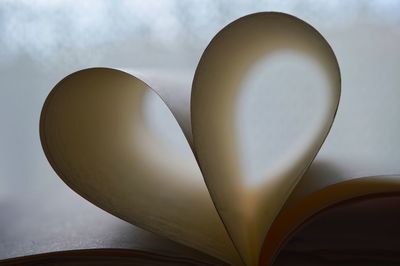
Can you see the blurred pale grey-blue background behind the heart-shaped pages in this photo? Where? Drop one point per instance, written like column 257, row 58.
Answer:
column 43, row 41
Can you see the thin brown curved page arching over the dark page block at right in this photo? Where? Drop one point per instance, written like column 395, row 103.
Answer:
column 294, row 216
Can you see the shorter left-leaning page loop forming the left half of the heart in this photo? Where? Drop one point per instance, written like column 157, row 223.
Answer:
column 112, row 139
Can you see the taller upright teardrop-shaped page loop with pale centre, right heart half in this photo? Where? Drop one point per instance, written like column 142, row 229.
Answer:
column 264, row 97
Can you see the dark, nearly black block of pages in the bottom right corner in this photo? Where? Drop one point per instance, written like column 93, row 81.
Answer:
column 358, row 232
